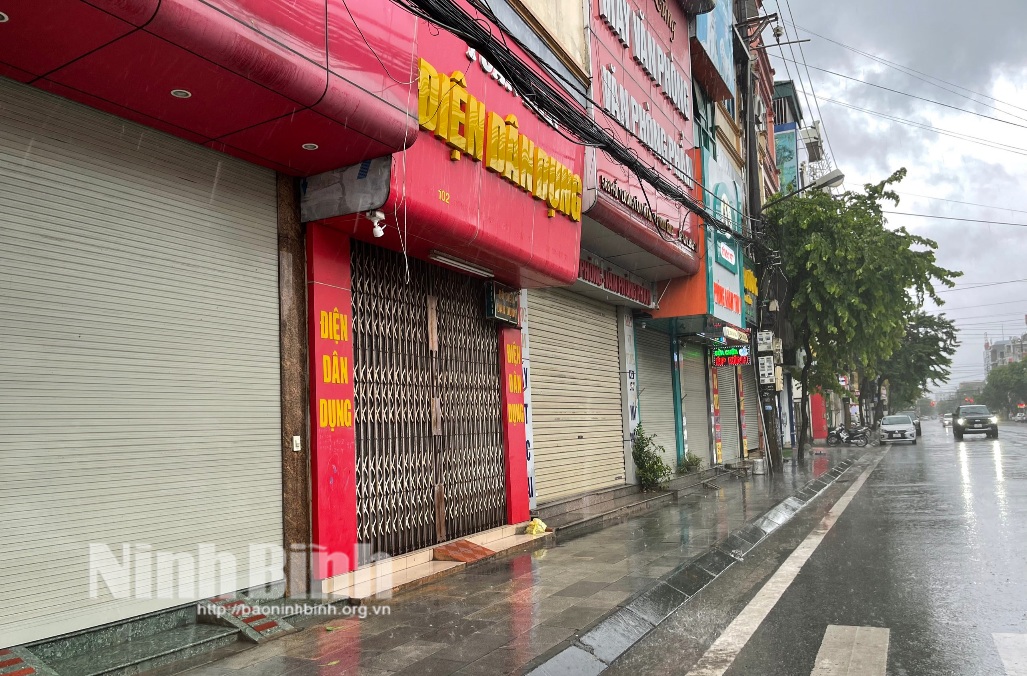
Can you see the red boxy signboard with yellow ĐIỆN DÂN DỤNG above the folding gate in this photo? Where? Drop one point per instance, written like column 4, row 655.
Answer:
column 491, row 180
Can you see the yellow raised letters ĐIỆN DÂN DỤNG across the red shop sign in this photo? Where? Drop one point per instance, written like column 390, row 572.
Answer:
column 460, row 120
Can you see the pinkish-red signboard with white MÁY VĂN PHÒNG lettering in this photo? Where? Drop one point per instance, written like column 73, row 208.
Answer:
column 643, row 76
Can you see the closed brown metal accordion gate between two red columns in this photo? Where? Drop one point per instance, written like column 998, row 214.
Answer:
column 430, row 453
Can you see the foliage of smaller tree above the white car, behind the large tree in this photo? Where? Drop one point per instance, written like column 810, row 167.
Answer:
column 924, row 356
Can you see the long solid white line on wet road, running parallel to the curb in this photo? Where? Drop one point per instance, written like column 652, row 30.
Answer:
column 721, row 655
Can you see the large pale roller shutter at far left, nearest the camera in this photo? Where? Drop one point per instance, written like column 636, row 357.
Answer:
column 140, row 370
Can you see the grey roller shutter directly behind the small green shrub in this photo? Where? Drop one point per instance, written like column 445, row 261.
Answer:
column 657, row 390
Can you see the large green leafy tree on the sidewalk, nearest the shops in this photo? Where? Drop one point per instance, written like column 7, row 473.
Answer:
column 853, row 282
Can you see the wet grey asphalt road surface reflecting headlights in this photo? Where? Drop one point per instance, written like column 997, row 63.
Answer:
column 933, row 548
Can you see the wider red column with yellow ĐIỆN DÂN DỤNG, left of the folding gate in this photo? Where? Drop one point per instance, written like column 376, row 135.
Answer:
column 333, row 444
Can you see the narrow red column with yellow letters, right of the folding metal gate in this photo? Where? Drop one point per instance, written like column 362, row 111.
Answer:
column 515, row 442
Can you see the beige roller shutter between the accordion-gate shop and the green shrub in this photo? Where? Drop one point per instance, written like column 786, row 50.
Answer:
column 576, row 394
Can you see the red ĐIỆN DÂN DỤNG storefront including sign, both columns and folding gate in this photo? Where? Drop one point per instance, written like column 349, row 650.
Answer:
column 489, row 192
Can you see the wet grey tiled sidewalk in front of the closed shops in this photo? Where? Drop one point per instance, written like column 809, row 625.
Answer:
column 497, row 617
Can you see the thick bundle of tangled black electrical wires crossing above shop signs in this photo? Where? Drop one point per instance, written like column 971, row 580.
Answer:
column 543, row 96
